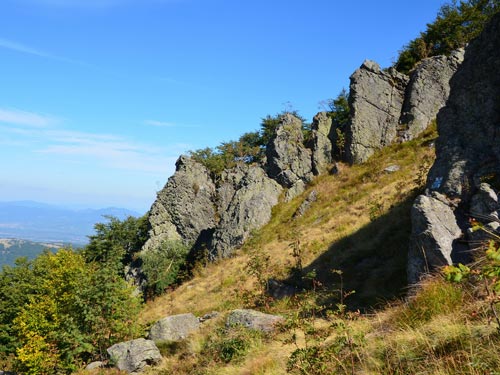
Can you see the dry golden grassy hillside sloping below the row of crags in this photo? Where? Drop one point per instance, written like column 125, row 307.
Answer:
column 360, row 225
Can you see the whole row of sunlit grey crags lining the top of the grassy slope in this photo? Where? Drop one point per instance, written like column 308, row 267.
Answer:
column 386, row 107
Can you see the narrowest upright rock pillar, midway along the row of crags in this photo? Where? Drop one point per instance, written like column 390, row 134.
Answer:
column 322, row 140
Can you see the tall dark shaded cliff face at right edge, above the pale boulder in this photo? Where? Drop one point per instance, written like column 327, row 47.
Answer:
column 468, row 147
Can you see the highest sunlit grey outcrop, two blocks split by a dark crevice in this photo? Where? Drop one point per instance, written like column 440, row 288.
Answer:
column 387, row 106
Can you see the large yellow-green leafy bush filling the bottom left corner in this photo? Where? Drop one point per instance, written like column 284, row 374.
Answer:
column 64, row 312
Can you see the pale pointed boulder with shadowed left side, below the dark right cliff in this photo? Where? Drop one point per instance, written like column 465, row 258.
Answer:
column 434, row 229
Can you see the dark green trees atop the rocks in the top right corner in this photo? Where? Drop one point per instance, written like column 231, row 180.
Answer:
column 456, row 24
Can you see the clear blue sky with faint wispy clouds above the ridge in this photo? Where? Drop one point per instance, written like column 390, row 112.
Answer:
column 99, row 97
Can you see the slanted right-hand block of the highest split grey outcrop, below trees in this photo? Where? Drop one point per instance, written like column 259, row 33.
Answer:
column 427, row 93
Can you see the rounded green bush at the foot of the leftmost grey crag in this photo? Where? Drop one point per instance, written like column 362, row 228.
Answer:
column 161, row 266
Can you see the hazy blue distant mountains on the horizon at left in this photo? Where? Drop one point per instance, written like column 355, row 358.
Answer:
column 40, row 222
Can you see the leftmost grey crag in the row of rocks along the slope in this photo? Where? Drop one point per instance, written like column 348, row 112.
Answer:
column 184, row 207
